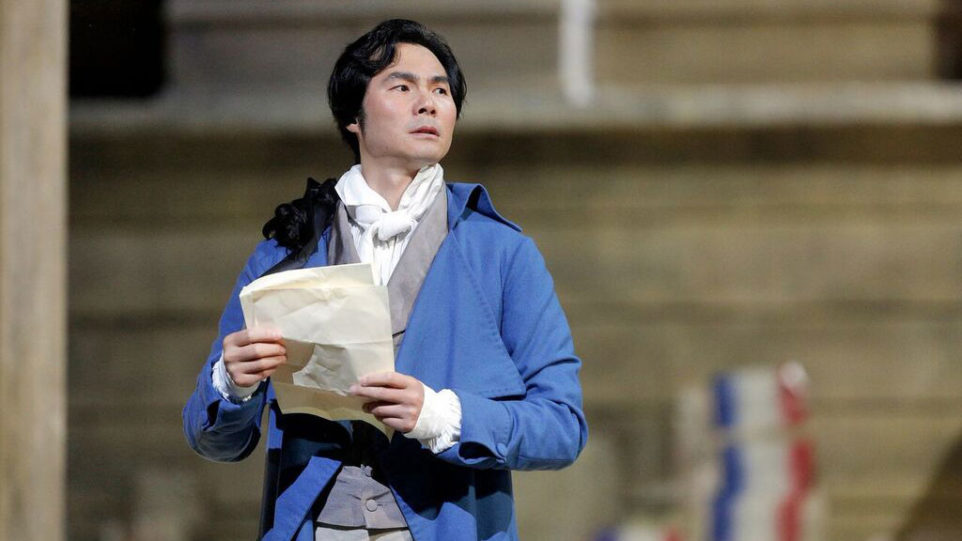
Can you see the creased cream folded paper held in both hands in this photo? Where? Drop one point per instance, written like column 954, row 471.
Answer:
column 336, row 325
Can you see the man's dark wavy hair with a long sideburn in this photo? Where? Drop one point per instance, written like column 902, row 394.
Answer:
column 369, row 55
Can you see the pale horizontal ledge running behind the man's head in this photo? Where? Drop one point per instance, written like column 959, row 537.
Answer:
column 780, row 111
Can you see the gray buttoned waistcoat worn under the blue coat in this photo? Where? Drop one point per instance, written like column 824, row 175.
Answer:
column 358, row 498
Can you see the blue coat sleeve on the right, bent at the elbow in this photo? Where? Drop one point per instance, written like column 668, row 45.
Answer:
column 546, row 428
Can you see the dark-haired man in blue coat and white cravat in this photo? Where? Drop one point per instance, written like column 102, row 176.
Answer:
column 486, row 378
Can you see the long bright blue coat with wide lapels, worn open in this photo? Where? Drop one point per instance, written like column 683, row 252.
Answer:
column 487, row 325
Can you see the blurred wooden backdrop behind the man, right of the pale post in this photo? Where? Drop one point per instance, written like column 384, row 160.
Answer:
column 719, row 187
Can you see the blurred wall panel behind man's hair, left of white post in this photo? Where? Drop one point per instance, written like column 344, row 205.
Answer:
column 295, row 43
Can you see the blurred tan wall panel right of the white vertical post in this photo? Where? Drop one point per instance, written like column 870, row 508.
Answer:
column 750, row 41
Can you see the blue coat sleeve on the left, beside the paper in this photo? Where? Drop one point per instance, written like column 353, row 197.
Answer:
column 216, row 428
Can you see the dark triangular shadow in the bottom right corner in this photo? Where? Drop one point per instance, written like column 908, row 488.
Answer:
column 936, row 516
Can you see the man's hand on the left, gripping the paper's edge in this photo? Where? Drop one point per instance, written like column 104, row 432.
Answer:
column 251, row 355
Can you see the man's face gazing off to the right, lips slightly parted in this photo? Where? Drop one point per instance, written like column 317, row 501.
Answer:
column 408, row 112
